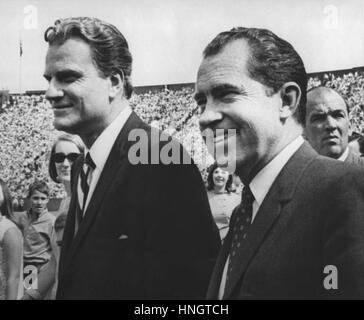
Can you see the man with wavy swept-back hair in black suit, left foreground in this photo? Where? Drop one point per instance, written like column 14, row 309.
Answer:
column 139, row 224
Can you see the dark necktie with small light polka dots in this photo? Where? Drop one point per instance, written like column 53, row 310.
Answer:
column 240, row 229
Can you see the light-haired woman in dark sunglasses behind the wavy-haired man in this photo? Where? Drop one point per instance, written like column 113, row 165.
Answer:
column 65, row 151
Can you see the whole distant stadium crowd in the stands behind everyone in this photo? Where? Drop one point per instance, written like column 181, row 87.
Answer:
column 27, row 131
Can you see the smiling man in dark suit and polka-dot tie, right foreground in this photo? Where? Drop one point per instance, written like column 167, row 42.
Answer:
column 298, row 232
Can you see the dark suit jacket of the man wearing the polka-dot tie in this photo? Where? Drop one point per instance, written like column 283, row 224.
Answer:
column 312, row 217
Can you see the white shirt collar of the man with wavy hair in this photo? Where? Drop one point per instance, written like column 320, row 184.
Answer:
column 101, row 148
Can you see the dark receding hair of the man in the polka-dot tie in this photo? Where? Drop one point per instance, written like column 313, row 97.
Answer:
column 272, row 61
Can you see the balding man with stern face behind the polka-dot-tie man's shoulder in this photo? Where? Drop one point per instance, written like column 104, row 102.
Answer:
column 327, row 125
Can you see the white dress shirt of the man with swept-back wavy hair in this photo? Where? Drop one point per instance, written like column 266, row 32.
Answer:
column 100, row 151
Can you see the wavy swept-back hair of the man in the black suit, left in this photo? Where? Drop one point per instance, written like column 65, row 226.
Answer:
column 109, row 47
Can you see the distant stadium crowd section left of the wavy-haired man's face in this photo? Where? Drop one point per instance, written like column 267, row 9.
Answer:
column 26, row 133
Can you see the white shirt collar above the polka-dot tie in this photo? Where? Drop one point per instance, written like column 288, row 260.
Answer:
column 262, row 182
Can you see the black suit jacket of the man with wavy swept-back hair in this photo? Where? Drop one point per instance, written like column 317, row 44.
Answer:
column 147, row 233
